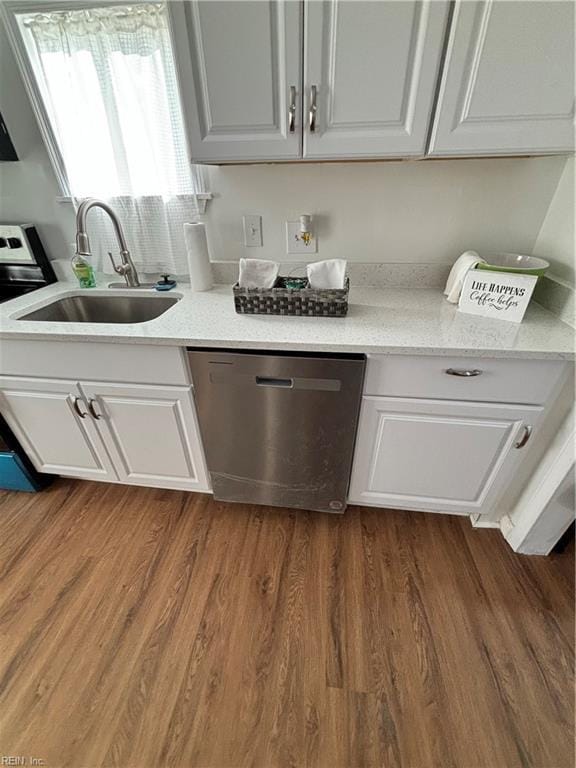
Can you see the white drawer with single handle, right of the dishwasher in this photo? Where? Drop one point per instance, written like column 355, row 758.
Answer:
column 503, row 381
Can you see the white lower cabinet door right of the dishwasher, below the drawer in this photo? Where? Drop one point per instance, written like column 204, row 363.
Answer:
column 440, row 456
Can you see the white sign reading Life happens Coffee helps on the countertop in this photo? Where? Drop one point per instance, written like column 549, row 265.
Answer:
column 496, row 294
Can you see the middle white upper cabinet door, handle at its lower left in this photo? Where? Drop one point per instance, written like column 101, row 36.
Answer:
column 373, row 67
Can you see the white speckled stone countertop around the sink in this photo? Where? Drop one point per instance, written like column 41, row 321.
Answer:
column 380, row 320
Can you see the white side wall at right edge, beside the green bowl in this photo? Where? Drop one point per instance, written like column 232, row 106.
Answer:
column 555, row 241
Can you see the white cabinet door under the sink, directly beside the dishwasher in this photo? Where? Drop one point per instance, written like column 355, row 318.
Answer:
column 151, row 433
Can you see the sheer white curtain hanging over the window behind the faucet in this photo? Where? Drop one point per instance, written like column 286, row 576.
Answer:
column 108, row 80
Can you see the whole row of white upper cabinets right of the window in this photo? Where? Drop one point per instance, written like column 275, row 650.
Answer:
column 265, row 80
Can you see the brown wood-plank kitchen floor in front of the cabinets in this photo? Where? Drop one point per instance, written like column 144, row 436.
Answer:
column 144, row 628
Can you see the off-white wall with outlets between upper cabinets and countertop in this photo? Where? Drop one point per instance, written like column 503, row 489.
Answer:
column 409, row 211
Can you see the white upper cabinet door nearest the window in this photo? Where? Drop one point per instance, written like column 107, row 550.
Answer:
column 240, row 74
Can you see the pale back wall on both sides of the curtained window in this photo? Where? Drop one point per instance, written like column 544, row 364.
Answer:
column 377, row 212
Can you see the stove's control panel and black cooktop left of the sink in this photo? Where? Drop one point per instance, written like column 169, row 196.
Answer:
column 24, row 265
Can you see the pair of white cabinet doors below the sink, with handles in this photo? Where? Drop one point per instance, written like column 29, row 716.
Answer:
column 137, row 434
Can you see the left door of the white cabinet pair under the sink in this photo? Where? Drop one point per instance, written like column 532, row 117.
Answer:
column 53, row 425
